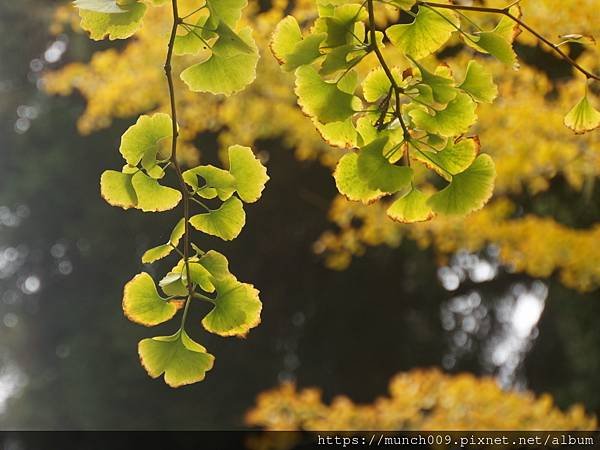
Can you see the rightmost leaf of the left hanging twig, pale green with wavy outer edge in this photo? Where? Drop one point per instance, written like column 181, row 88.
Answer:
column 249, row 173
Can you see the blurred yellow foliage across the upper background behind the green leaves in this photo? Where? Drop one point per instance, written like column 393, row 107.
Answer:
column 523, row 131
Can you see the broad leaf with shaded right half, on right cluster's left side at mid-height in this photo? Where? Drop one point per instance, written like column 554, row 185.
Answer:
column 322, row 100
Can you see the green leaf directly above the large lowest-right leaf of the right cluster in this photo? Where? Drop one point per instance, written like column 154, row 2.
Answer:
column 455, row 158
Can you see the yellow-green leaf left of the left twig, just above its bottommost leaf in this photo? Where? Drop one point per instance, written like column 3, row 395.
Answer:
column 142, row 304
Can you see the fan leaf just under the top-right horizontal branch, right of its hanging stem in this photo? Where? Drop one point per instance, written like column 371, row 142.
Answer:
column 430, row 30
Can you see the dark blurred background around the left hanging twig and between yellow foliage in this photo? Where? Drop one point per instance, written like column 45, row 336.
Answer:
column 68, row 356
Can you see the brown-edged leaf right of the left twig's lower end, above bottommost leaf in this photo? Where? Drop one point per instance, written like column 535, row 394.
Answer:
column 236, row 308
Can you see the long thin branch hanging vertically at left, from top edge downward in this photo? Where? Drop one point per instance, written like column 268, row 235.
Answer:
column 183, row 188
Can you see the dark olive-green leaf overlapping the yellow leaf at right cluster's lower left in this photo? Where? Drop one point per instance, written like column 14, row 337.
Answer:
column 378, row 172
